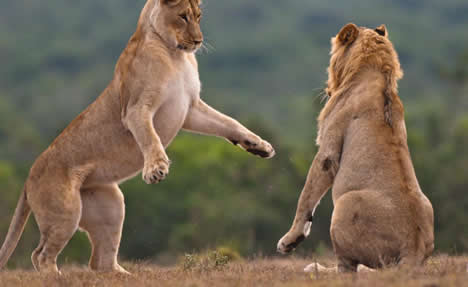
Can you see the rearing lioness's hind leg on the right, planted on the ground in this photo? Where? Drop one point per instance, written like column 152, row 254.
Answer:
column 103, row 216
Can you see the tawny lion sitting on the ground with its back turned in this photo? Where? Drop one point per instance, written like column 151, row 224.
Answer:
column 380, row 214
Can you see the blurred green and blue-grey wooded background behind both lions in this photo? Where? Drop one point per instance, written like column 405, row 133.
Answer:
column 265, row 65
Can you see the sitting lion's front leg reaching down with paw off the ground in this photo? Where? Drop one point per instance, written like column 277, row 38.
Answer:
column 319, row 180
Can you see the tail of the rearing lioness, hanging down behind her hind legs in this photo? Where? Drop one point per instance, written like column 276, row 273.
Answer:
column 20, row 218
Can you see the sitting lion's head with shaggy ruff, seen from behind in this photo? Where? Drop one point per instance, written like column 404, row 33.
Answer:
column 357, row 48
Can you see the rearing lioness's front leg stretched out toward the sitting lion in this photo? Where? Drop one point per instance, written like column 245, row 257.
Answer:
column 204, row 119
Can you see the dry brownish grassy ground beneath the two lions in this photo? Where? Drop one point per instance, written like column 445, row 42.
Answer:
column 213, row 271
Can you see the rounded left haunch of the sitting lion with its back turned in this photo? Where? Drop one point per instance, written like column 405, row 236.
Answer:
column 366, row 229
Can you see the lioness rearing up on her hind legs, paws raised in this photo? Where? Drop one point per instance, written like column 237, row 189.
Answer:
column 154, row 93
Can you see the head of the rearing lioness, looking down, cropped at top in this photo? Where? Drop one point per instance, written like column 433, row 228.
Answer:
column 176, row 22
